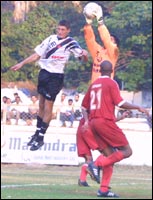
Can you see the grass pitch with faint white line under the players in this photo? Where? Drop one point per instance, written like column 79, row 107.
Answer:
column 34, row 181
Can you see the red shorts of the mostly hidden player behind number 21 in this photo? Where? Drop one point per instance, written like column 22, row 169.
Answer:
column 85, row 141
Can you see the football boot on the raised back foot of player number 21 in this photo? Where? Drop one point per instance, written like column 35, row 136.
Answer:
column 94, row 172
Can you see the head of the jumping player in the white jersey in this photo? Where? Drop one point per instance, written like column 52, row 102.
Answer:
column 63, row 29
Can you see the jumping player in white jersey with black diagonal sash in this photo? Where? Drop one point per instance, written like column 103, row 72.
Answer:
column 53, row 54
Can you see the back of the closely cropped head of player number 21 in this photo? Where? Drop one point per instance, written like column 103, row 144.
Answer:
column 106, row 67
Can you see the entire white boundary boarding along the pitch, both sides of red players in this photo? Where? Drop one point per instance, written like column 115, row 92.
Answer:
column 60, row 145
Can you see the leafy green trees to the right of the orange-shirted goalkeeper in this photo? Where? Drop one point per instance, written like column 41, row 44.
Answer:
column 132, row 21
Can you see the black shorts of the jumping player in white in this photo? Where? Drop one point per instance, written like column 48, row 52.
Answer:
column 49, row 84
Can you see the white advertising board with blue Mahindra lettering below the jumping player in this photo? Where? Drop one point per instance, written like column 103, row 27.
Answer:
column 58, row 149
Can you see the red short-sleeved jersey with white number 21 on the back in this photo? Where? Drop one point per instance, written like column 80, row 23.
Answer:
column 102, row 97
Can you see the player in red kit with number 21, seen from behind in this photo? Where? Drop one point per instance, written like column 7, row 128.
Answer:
column 100, row 100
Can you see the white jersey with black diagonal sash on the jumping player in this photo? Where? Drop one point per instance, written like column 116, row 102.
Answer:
column 55, row 53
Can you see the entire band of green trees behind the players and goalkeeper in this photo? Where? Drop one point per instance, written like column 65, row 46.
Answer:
column 131, row 21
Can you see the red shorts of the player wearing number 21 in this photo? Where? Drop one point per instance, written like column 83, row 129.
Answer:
column 107, row 133
